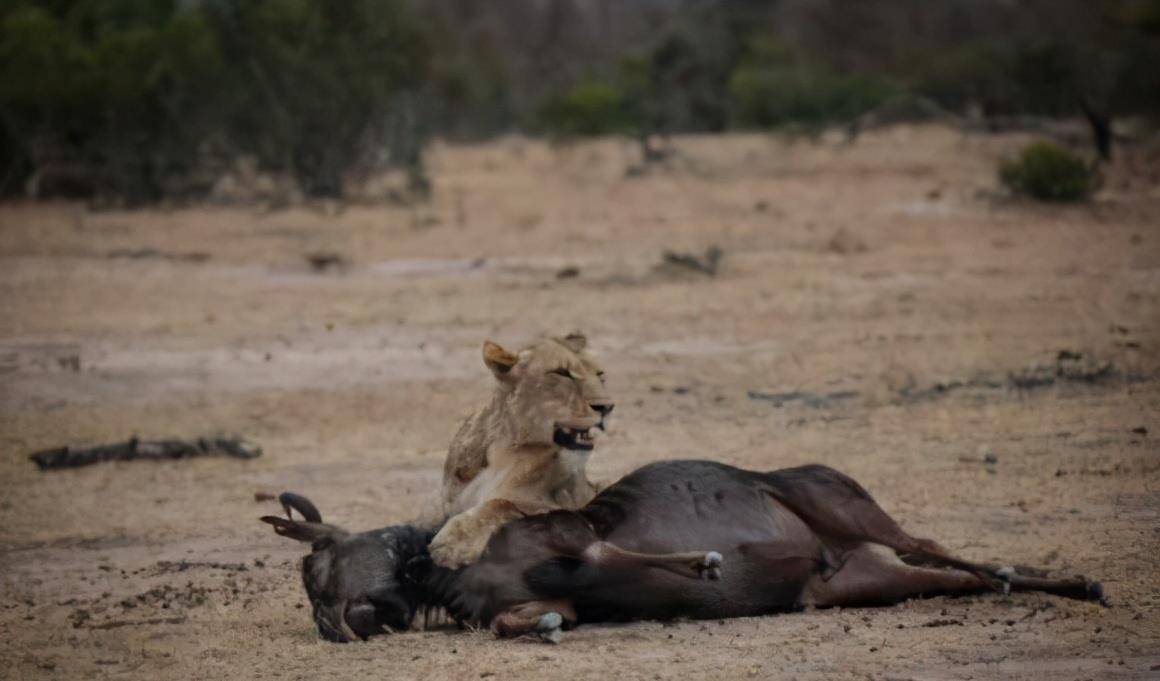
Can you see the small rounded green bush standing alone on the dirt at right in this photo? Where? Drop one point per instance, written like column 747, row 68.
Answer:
column 1048, row 172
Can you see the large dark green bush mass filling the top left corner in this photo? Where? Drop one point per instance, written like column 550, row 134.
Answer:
column 134, row 98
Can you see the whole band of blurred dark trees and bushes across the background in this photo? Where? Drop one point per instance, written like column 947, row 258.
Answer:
column 135, row 102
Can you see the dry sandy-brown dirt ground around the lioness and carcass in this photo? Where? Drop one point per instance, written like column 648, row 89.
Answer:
column 880, row 308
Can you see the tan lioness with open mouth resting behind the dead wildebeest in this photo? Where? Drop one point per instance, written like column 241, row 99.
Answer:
column 527, row 451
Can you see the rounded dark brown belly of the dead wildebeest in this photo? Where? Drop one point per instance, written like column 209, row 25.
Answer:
column 701, row 506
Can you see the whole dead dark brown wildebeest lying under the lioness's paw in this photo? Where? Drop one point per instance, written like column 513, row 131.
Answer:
column 683, row 539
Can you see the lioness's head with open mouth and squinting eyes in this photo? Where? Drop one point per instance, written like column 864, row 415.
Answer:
column 552, row 393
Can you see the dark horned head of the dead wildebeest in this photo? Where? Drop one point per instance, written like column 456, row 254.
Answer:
column 359, row 584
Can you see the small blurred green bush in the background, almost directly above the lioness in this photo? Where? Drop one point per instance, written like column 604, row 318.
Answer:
column 590, row 108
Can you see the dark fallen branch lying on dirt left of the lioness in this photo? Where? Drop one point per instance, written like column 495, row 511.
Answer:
column 71, row 458
